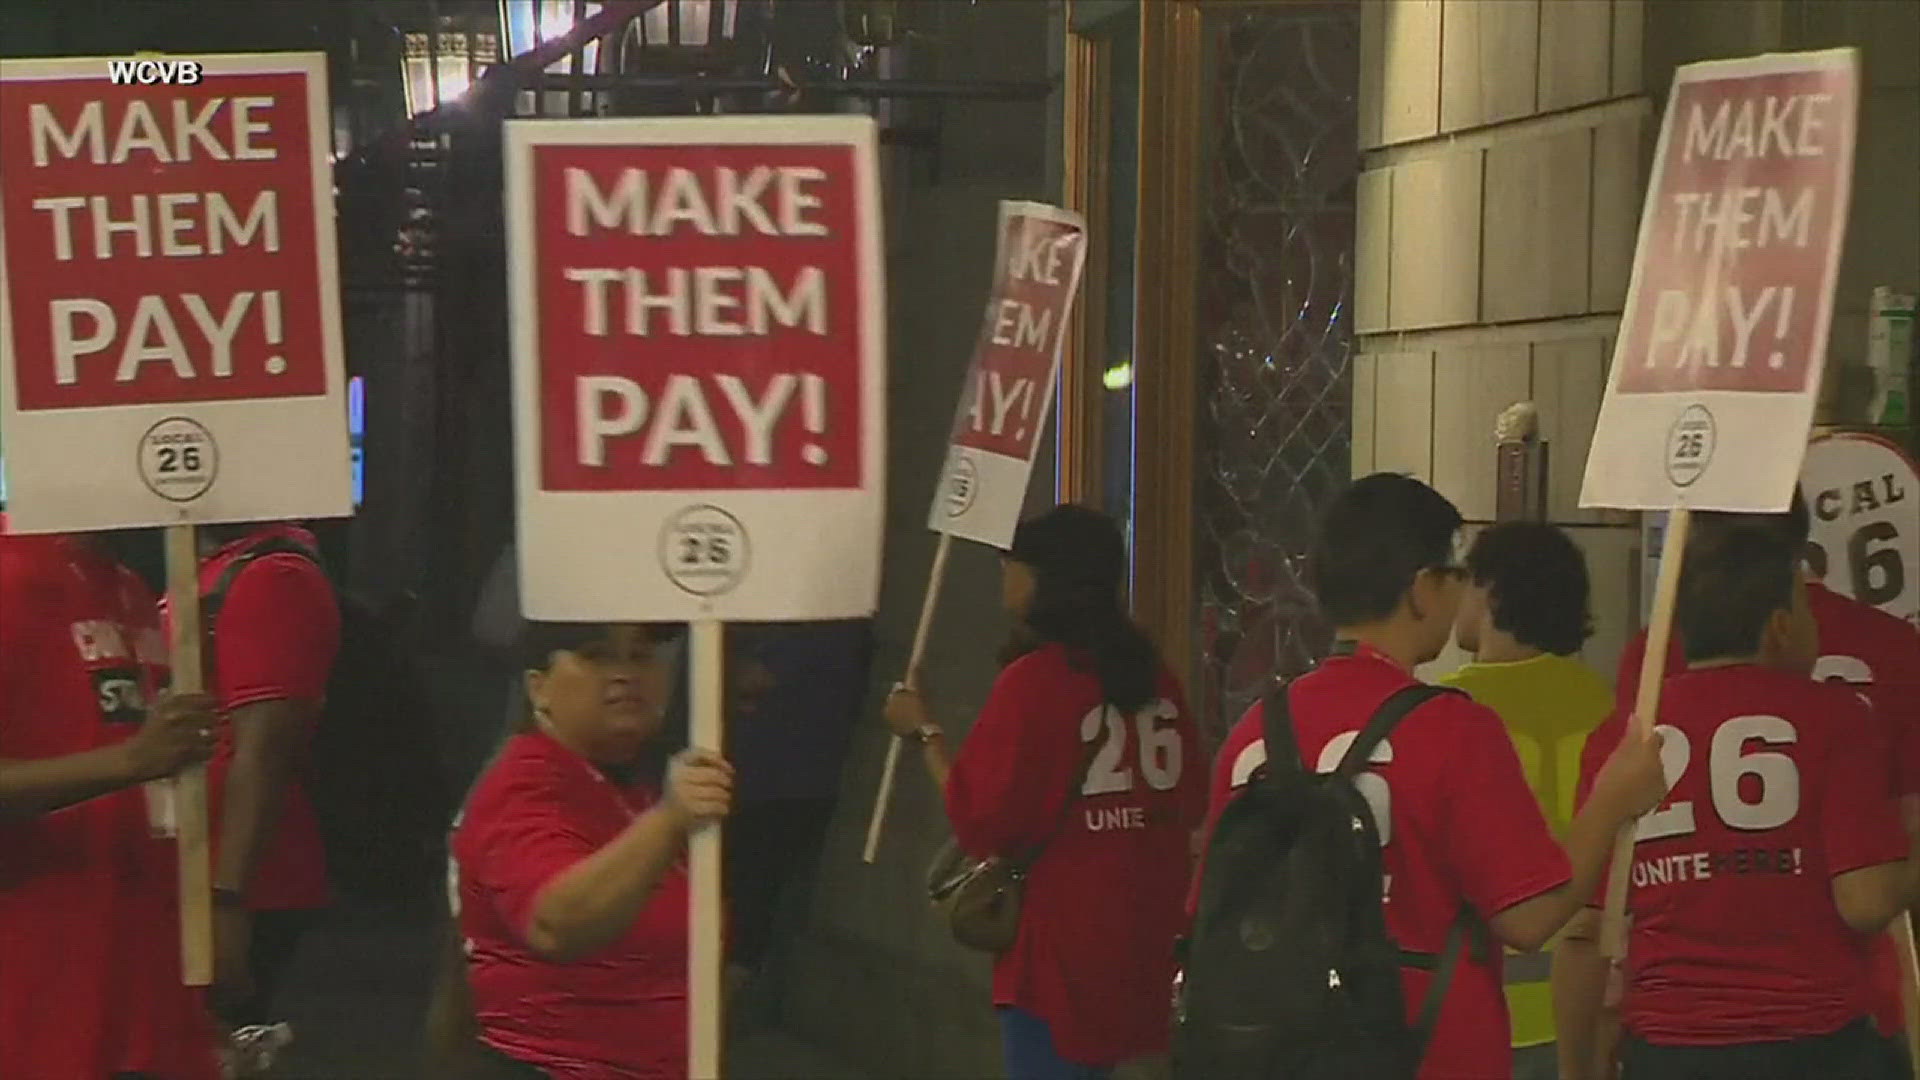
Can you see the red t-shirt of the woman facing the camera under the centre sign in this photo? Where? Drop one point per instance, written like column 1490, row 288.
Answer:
column 615, row 1016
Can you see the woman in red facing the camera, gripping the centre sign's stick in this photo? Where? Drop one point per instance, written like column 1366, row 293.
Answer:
column 571, row 875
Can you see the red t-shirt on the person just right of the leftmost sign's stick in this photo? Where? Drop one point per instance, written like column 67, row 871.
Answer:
column 277, row 639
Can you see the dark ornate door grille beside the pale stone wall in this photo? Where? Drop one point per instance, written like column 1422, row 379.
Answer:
column 1276, row 322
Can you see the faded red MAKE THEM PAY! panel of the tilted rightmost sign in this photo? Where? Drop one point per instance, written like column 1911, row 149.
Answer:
column 1737, row 257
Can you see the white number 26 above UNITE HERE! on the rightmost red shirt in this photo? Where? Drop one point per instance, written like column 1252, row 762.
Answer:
column 1775, row 797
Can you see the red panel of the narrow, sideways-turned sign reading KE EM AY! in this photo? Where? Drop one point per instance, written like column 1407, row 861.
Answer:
column 1005, row 403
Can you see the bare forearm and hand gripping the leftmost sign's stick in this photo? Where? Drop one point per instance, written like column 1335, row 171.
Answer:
column 174, row 735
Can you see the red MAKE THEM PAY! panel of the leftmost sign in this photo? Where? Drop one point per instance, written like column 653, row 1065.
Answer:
column 160, row 241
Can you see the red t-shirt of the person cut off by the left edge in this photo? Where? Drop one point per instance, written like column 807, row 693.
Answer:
column 89, row 898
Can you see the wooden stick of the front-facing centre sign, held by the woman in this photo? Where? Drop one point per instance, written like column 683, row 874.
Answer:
column 704, row 862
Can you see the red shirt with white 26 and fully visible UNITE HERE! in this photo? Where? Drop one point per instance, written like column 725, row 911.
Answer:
column 1735, row 933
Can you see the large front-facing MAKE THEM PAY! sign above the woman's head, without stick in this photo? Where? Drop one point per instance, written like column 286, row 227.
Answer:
column 700, row 366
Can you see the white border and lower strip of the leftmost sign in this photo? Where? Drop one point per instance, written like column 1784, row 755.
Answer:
column 289, row 433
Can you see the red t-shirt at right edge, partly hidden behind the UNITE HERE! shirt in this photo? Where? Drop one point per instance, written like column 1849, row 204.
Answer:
column 1881, row 656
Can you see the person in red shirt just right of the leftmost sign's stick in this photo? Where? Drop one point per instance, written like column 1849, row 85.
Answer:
column 274, row 631
